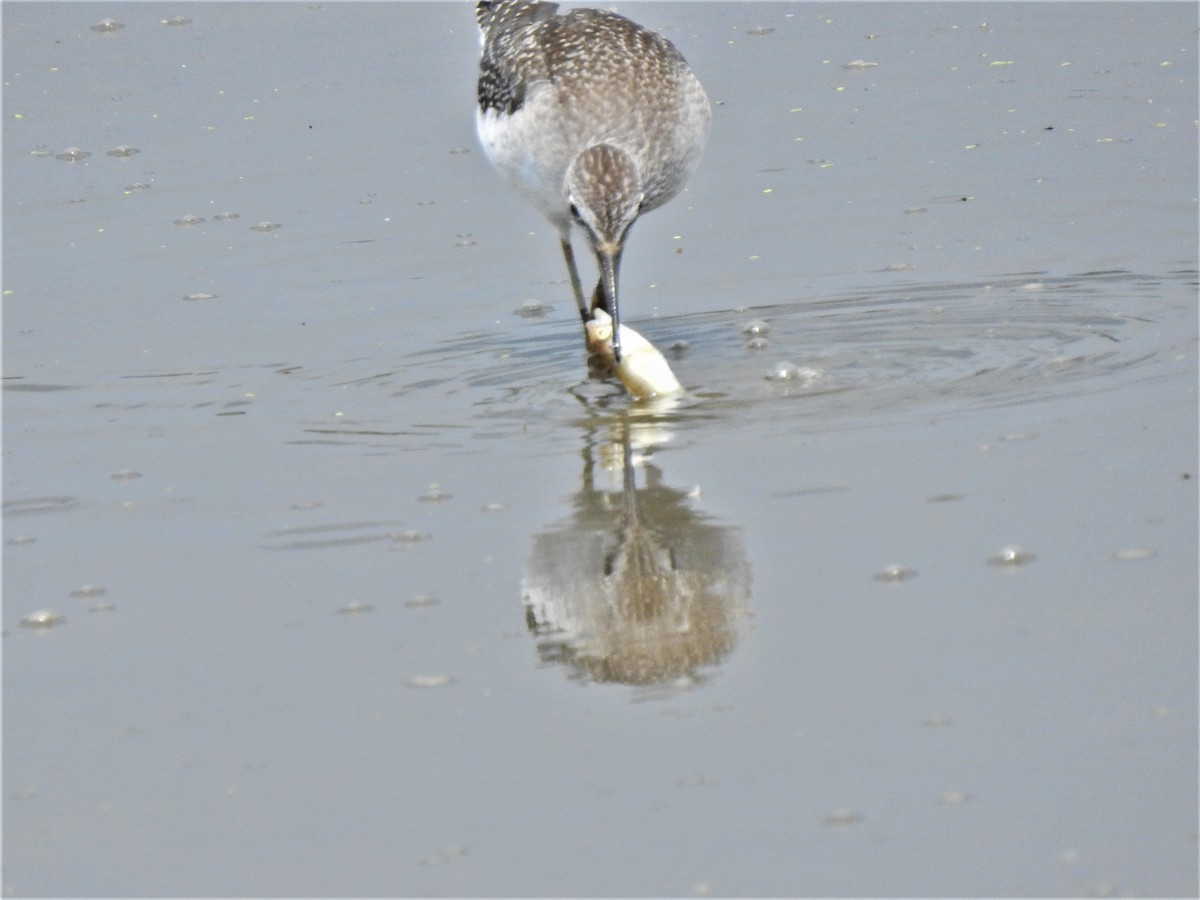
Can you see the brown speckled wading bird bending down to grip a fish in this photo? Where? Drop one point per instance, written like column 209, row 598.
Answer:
column 593, row 119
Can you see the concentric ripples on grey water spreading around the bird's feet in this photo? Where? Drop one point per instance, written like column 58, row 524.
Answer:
column 928, row 349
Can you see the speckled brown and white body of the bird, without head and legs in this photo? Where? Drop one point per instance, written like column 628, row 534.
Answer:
column 556, row 85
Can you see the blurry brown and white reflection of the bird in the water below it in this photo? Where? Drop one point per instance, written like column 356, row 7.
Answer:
column 637, row 587
